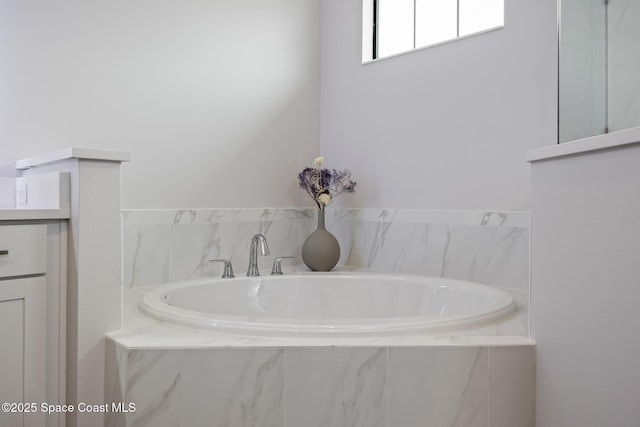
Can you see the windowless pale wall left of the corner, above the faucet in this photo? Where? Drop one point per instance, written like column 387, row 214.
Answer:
column 217, row 100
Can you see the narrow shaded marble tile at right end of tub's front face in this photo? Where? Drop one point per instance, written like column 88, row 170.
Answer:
column 512, row 379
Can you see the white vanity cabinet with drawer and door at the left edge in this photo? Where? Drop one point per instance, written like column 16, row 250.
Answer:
column 30, row 293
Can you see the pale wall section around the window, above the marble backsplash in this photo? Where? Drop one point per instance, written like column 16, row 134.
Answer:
column 446, row 127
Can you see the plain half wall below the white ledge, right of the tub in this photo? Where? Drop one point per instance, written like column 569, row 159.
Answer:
column 586, row 288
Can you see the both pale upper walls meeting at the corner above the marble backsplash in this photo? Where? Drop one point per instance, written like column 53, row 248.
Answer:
column 219, row 101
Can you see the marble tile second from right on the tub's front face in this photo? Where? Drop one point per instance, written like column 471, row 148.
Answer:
column 434, row 387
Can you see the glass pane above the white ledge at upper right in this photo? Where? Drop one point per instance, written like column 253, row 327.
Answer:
column 599, row 67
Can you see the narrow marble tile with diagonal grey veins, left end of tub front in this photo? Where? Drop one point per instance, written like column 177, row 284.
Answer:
column 153, row 382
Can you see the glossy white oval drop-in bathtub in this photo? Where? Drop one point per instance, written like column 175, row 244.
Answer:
column 328, row 304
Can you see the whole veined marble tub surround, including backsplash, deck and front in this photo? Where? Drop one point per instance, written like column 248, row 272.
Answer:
column 176, row 376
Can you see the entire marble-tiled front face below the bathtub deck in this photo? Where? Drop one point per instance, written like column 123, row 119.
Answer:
column 324, row 386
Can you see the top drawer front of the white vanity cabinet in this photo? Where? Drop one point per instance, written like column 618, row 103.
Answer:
column 23, row 249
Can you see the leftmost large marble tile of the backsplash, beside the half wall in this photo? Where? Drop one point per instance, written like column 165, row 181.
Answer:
column 146, row 254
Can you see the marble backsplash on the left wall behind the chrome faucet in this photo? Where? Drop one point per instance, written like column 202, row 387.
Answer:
column 161, row 246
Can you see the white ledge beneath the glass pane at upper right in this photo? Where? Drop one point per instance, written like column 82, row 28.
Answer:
column 586, row 145
